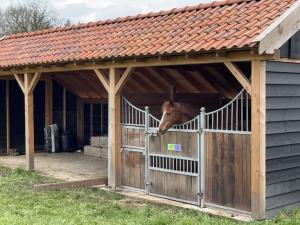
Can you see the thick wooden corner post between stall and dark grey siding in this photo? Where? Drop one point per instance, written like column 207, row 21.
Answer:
column 258, row 136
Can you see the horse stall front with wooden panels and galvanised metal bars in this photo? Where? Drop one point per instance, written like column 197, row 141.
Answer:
column 206, row 159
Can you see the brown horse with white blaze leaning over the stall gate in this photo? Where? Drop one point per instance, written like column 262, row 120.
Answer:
column 175, row 113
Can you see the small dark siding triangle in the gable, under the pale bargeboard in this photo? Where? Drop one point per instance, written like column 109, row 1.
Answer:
column 291, row 49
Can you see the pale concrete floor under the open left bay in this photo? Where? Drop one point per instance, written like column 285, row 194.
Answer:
column 64, row 166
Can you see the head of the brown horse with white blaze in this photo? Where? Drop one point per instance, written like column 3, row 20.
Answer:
column 171, row 115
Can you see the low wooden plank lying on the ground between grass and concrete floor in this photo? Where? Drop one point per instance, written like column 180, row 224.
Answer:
column 70, row 184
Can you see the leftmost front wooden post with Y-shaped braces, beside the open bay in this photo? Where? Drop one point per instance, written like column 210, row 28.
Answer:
column 27, row 82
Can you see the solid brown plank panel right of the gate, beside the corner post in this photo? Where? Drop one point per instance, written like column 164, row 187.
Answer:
column 228, row 170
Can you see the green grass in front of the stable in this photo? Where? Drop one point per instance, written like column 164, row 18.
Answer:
column 20, row 205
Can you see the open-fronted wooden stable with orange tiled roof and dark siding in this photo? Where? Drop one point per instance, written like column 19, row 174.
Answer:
column 237, row 61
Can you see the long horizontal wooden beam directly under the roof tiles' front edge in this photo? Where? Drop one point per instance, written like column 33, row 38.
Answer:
column 202, row 58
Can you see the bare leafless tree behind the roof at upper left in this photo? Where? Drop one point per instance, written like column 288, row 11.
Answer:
column 35, row 15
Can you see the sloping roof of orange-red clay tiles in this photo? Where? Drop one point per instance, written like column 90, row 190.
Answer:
column 213, row 26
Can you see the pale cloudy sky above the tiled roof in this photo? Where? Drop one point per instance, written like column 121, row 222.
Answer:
column 92, row 10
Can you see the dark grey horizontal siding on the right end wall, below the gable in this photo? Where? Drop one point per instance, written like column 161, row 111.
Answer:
column 283, row 137
